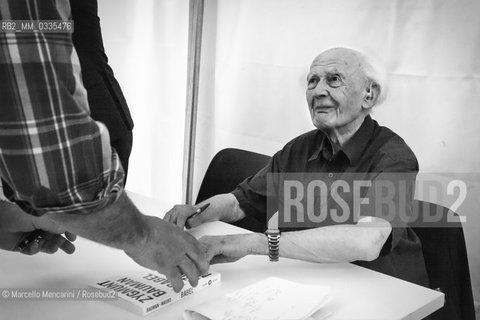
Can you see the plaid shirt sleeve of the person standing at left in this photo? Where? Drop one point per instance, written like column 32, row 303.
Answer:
column 53, row 156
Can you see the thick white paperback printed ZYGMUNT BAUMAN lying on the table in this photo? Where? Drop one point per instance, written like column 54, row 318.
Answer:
column 148, row 292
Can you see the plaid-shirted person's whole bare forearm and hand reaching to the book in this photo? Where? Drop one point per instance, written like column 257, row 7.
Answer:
column 151, row 242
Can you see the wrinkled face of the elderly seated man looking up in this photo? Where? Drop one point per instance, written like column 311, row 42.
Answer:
column 335, row 89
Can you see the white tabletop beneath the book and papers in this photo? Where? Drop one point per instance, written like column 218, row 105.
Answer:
column 358, row 293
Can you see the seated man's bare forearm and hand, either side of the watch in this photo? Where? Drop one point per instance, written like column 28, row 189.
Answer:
column 341, row 243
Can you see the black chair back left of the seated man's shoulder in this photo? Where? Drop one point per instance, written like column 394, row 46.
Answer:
column 227, row 169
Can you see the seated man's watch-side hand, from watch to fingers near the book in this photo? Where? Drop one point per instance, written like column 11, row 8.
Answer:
column 230, row 248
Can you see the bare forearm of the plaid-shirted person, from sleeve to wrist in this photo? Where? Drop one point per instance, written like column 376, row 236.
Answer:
column 120, row 225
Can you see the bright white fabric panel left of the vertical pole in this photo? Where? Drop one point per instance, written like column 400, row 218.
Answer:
column 146, row 42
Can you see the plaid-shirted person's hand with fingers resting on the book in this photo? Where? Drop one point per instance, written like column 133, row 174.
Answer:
column 170, row 251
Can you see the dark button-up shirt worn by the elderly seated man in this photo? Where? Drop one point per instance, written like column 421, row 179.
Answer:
column 372, row 151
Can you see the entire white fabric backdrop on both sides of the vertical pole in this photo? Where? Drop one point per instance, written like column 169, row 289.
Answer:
column 255, row 57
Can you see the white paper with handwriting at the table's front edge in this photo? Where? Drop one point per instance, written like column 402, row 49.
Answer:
column 269, row 299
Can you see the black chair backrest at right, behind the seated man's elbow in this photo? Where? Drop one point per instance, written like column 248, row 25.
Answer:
column 446, row 262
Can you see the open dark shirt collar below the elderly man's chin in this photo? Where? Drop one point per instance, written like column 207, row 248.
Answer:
column 353, row 149
